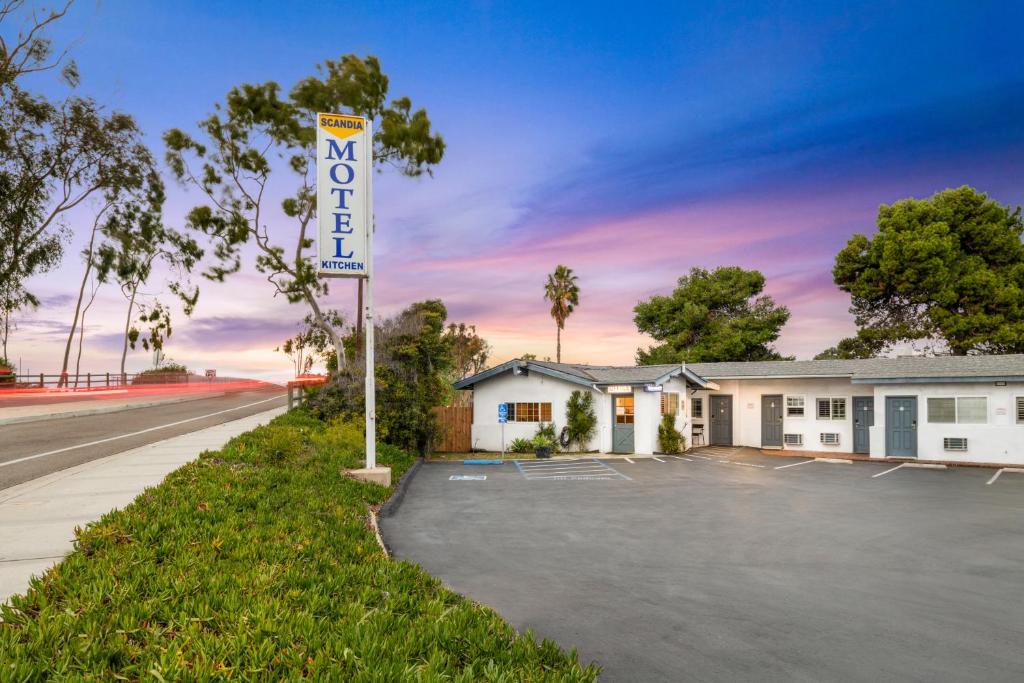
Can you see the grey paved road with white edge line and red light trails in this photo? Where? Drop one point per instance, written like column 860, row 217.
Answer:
column 77, row 441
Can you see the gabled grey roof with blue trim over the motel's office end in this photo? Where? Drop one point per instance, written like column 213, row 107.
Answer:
column 589, row 375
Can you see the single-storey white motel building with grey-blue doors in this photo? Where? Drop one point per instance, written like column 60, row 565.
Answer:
column 962, row 409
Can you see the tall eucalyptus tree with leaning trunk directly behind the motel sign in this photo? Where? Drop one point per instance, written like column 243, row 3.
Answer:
column 254, row 133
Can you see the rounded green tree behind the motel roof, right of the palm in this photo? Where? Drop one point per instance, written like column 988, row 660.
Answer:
column 711, row 317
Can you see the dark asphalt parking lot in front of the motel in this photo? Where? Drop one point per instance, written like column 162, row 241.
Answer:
column 726, row 565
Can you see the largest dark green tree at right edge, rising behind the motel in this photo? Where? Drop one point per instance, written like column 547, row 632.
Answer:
column 949, row 271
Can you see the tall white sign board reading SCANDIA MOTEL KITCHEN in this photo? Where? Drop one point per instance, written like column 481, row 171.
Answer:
column 345, row 217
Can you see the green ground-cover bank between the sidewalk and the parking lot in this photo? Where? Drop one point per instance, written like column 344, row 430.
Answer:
column 257, row 563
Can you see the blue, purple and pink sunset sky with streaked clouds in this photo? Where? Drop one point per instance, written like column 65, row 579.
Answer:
column 628, row 142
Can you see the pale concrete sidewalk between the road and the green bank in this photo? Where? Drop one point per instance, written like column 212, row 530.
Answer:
column 38, row 519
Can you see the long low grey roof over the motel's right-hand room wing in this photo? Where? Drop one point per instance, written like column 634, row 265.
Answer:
column 877, row 371
